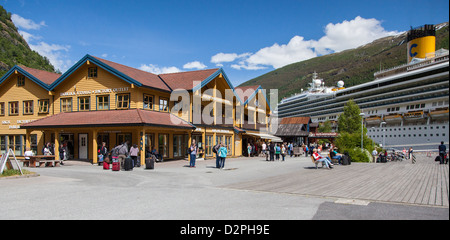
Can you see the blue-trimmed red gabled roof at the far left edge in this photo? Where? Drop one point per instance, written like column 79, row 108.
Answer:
column 40, row 77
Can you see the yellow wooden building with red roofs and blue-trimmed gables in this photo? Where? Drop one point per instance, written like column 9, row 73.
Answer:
column 97, row 101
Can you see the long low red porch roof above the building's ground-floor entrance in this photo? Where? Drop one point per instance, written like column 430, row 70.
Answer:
column 131, row 117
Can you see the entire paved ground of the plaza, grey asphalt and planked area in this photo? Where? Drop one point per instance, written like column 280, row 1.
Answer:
column 248, row 188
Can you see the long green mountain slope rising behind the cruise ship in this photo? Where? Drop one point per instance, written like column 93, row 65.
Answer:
column 354, row 66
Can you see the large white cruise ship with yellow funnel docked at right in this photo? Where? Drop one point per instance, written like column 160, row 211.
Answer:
column 406, row 106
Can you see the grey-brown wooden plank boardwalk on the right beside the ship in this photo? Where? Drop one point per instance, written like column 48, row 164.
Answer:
column 423, row 183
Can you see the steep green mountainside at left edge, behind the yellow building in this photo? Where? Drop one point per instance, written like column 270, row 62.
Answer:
column 14, row 50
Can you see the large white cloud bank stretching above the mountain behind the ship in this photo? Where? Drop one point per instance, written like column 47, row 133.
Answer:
column 338, row 37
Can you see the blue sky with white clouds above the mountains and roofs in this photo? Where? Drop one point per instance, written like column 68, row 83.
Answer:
column 246, row 38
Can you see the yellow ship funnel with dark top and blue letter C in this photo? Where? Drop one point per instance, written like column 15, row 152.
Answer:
column 421, row 42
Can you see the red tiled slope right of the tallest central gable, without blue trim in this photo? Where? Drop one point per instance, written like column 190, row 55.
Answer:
column 146, row 78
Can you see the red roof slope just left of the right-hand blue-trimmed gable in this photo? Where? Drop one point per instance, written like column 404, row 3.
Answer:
column 185, row 80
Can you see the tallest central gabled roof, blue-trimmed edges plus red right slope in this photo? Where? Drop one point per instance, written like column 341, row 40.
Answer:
column 131, row 75
